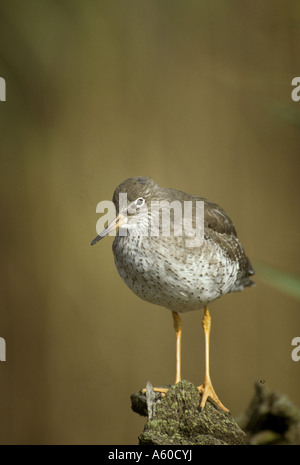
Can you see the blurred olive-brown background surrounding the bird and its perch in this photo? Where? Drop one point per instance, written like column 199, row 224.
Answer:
column 197, row 95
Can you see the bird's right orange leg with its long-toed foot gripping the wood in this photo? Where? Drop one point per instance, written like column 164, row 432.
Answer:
column 206, row 389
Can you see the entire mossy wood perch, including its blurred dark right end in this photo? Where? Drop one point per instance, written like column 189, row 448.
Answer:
column 176, row 418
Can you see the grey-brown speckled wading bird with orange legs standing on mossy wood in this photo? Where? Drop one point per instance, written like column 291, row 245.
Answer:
column 183, row 263
